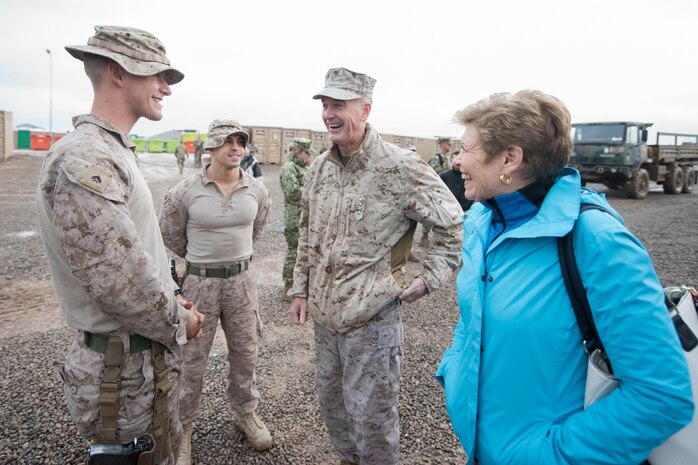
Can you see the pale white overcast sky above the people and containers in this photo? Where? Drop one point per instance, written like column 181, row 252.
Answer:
column 260, row 61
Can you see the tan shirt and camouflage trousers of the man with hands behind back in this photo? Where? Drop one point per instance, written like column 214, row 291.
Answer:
column 231, row 300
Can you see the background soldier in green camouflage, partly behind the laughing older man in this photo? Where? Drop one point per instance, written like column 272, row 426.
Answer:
column 292, row 180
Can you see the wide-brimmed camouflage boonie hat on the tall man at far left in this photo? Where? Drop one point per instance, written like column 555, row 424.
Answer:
column 138, row 52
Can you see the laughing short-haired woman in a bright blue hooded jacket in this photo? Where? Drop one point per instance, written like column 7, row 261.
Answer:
column 515, row 373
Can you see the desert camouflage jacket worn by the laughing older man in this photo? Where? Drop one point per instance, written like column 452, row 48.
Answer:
column 354, row 219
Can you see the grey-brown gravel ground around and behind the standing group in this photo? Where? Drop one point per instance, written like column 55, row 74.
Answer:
column 36, row 428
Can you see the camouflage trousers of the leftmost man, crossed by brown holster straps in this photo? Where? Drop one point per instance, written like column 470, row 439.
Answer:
column 81, row 375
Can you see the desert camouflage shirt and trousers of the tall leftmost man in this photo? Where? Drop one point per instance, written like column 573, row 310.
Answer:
column 110, row 272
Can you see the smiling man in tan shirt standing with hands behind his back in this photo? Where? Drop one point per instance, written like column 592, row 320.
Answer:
column 212, row 219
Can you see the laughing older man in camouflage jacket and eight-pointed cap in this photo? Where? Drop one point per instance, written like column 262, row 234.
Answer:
column 361, row 203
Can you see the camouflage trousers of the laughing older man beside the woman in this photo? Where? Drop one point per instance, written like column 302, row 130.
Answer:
column 358, row 382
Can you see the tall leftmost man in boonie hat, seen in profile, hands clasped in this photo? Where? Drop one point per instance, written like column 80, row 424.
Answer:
column 108, row 261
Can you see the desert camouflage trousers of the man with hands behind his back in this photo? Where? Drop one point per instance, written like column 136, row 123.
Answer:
column 233, row 301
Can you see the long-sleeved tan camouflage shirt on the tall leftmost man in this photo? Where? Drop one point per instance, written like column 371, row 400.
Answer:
column 97, row 219
